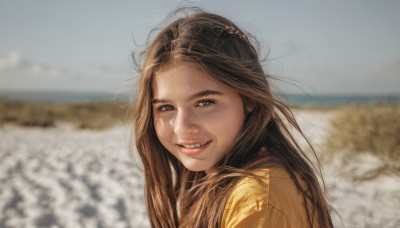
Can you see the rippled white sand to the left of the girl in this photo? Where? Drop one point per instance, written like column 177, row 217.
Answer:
column 69, row 178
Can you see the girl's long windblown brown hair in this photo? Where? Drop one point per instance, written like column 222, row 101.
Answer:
column 176, row 196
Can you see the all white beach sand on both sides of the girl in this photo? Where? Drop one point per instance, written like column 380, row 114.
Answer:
column 63, row 177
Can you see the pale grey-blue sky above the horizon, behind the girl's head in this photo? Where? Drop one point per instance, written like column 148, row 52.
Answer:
column 314, row 47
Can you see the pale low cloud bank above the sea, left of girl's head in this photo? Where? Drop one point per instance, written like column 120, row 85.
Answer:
column 17, row 72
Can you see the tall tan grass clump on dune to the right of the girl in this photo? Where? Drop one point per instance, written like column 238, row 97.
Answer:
column 373, row 129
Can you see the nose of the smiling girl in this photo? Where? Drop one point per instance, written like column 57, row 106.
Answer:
column 185, row 123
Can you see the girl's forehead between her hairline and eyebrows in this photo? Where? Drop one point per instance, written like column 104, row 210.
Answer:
column 184, row 79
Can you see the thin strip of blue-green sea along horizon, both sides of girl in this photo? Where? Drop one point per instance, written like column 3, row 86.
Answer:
column 296, row 100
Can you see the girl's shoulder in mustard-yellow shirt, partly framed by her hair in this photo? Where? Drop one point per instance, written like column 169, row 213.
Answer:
column 270, row 199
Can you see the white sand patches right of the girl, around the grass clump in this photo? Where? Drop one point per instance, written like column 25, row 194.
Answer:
column 368, row 203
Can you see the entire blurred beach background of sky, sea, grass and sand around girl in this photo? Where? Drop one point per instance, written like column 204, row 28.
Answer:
column 66, row 79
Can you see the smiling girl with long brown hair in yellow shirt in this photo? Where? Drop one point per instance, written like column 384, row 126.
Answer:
column 214, row 142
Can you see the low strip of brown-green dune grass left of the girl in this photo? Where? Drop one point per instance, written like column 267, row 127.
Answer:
column 89, row 115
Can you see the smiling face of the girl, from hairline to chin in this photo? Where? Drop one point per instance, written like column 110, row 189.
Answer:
column 196, row 118
